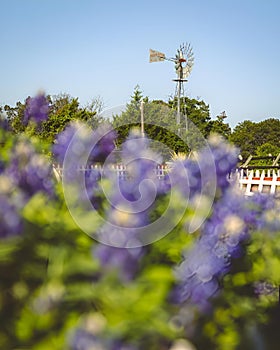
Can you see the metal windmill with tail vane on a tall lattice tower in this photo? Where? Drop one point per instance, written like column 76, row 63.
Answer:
column 183, row 60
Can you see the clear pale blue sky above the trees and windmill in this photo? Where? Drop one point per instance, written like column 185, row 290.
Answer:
column 90, row 48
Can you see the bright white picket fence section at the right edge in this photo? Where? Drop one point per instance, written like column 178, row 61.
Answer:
column 255, row 180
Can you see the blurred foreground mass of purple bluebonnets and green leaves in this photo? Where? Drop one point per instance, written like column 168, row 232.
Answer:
column 107, row 275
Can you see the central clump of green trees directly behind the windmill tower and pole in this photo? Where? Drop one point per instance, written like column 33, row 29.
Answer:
column 160, row 120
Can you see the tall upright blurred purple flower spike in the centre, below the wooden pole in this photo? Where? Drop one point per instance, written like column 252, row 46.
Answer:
column 131, row 201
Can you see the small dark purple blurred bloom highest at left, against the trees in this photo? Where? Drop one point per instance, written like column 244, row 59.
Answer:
column 37, row 109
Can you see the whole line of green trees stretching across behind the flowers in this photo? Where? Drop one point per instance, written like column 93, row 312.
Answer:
column 252, row 138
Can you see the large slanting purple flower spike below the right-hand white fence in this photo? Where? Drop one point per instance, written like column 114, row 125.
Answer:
column 220, row 241
